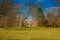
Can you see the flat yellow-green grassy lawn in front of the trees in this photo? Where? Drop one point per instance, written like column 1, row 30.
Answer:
column 30, row 33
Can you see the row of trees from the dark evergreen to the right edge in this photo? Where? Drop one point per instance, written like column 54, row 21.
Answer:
column 49, row 20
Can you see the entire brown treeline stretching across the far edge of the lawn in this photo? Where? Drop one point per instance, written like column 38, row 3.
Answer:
column 10, row 16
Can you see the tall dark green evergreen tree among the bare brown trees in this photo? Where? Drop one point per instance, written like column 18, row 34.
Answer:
column 39, row 17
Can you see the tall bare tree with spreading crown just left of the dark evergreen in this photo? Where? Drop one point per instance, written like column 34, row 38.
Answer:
column 33, row 9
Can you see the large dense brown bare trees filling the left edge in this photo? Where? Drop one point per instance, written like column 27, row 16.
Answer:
column 8, row 18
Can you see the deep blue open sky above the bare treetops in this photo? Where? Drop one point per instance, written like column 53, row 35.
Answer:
column 46, row 3
